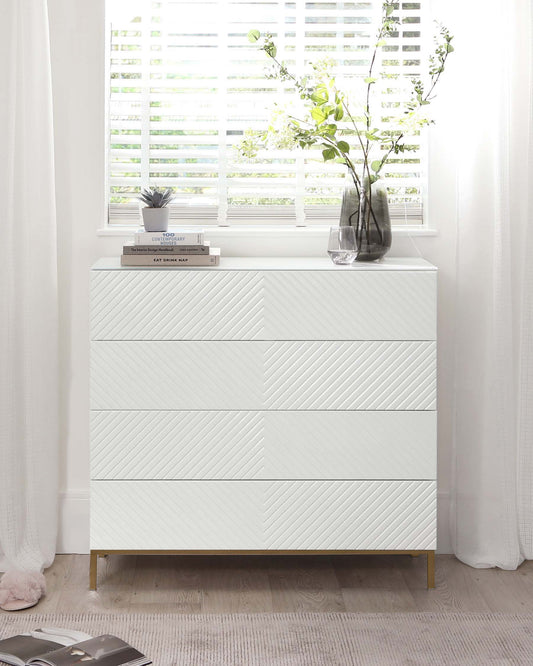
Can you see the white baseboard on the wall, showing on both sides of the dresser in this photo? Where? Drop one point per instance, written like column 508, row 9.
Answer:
column 73, row 534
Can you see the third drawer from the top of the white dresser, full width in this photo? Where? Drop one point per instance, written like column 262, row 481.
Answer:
column 267, row 445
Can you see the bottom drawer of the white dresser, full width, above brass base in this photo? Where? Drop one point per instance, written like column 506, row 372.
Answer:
column 263, row 515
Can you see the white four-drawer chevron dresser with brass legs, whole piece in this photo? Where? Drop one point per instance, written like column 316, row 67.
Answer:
column 266, row 405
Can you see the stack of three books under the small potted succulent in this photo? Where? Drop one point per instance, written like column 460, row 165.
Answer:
column 175, row 247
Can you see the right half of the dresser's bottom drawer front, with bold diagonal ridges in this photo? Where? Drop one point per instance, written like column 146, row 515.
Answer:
column 364, row 515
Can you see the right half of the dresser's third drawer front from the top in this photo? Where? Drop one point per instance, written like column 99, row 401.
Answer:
column 350, row 445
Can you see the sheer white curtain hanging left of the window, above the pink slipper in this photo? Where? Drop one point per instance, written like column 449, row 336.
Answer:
column 28, row 292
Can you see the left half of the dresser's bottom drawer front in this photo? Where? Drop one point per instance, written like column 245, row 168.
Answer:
column 175, row 515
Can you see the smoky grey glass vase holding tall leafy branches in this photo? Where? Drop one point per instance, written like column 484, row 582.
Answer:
column 368, row 212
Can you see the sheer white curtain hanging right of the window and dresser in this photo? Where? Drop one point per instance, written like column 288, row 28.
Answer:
column 492, row 515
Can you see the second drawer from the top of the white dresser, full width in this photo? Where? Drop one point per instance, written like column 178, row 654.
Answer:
column 222, row 375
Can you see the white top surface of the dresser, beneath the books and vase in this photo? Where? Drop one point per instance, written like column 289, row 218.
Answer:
column 278, row 264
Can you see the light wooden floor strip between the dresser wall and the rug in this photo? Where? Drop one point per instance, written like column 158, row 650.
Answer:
column 282, row 584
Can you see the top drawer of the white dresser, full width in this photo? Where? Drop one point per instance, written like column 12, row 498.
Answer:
column 263, row 305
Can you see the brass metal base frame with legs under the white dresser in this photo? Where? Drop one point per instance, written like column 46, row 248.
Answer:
column 95, row 554
